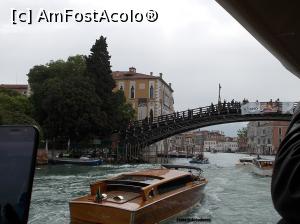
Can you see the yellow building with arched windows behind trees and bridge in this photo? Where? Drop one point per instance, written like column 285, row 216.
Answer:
column 149, row 95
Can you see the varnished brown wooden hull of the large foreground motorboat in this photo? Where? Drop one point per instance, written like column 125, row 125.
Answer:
column 151, row 212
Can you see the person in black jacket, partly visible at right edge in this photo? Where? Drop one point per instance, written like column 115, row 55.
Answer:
column 285, row 186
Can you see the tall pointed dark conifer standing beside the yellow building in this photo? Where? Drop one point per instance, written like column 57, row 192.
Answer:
column 115, row 108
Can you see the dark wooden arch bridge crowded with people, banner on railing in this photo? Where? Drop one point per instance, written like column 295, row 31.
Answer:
column 142, row 133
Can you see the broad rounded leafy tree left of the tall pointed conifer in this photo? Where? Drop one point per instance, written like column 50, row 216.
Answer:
column 64, row 100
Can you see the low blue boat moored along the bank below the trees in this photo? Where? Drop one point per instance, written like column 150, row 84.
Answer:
column 87, row 161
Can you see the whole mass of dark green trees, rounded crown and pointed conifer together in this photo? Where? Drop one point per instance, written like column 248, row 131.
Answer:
column 73, row 99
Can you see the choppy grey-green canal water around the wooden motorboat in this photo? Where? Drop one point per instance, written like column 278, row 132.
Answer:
column 232, row 195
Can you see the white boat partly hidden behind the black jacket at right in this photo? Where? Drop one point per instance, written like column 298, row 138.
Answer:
column 263, row 167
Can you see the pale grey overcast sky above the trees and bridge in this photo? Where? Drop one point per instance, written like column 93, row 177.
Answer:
column 196, row 44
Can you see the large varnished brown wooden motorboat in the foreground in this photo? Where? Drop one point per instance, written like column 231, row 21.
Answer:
column 144, row 197
